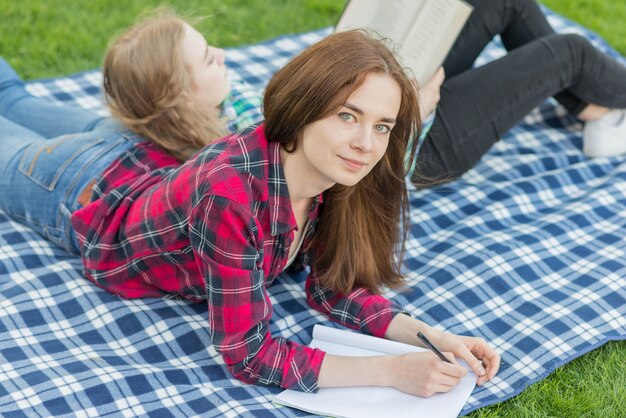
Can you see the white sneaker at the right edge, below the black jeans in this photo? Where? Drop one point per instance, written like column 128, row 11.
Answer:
column 606, row 137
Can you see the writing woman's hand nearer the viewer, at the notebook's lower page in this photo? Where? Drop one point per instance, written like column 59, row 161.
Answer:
column 424, row 374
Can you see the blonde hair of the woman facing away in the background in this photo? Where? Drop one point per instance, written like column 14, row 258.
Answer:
column 148, row 84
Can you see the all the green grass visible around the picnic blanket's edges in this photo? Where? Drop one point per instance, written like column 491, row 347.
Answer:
column 48, row 38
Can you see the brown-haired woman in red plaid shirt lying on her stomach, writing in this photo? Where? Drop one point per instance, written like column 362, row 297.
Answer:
column 321, row 183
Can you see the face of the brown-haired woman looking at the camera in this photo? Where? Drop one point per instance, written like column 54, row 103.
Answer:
column 345, row 146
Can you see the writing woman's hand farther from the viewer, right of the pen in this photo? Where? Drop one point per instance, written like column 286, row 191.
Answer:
column 481, row 358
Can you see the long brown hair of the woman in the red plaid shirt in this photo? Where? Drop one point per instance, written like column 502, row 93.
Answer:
column 358, row 236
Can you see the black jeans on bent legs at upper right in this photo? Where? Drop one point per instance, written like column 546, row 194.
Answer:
column 479, row 105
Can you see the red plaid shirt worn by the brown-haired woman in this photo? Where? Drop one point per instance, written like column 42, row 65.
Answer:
column 219, row 228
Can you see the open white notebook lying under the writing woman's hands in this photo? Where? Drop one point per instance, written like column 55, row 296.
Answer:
column 375, row 402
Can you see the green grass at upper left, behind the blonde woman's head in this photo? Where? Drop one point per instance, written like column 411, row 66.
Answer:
column 46, row 38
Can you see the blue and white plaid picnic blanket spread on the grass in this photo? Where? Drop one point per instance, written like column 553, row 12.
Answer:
column 526, row 250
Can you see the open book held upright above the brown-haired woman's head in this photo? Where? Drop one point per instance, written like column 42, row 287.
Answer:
column 424, row 30
